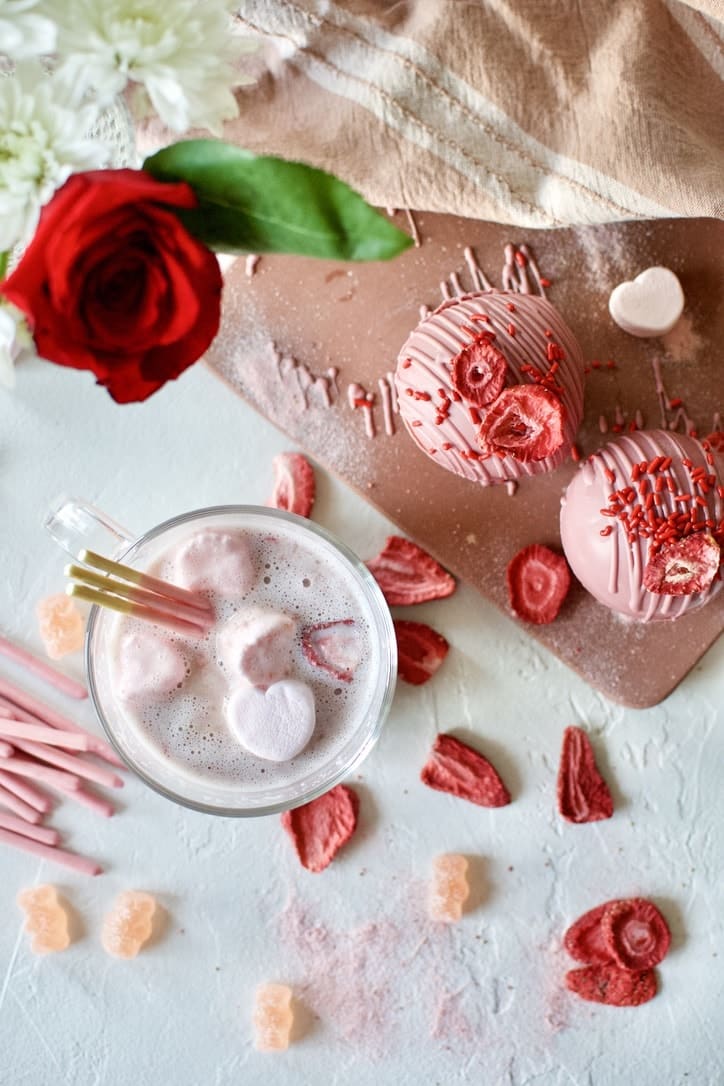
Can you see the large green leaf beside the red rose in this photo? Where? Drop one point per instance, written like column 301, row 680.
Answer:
column 255, row 204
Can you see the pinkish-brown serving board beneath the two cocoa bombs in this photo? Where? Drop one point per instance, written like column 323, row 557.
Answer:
column 295, row 320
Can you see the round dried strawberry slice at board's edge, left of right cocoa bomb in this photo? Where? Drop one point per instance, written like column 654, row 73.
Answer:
column 538, row 582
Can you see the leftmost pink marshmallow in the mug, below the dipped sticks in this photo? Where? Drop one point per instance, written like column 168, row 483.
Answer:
column 149, row 667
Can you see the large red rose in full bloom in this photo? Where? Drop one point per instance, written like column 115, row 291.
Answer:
column 113, row 282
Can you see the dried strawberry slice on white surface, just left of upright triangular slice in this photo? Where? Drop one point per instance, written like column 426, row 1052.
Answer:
column 456, row 768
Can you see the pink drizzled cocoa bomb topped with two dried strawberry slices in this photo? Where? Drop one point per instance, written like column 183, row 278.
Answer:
column 491, row 387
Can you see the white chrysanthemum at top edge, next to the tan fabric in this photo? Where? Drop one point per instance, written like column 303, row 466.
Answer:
column 179, row 50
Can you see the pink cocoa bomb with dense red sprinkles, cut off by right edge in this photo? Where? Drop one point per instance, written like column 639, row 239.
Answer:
column 643, row 525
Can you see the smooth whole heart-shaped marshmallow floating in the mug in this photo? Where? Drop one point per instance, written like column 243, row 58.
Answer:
column 275, row 725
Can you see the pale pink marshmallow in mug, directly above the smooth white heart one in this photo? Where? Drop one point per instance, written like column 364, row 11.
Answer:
column 257, row 646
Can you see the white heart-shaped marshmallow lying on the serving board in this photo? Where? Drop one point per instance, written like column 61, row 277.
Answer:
column 651, row 306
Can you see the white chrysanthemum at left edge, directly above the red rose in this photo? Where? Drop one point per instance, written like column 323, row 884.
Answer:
column 43, row 142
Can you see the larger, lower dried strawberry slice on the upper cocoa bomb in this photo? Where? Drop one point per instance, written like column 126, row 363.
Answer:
column 526, row 422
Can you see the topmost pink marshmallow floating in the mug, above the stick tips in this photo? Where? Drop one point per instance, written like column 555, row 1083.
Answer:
column 215, row 562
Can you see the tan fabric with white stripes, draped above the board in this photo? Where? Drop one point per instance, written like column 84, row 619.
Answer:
column 536, row 112
